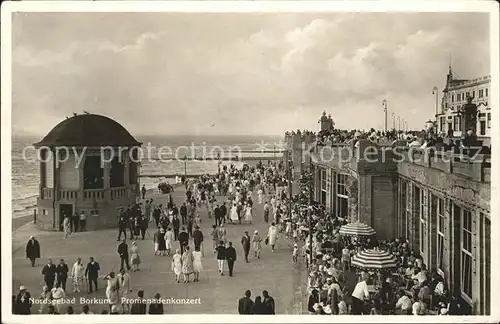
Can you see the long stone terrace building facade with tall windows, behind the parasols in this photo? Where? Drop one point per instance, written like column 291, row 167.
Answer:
column 439, row 201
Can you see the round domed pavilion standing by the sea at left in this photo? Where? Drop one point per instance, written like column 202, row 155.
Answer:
column 88, row 163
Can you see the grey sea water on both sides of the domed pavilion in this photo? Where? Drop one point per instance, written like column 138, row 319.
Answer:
column 26, row 175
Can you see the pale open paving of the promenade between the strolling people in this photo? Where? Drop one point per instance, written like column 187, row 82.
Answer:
column 219, row 294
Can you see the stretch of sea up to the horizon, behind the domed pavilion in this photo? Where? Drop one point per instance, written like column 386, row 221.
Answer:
column 25, row 175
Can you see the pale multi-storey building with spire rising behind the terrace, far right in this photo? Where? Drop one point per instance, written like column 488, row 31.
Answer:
column 455, row 96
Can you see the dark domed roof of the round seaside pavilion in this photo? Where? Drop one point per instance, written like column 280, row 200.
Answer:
column 88, row 130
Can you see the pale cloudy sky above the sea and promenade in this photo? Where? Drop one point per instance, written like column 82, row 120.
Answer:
column 169, row 73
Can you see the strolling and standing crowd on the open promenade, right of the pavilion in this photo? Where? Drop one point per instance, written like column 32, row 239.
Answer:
column 174, row 227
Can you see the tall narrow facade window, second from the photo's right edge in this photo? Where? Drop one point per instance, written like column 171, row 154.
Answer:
column 466, row 253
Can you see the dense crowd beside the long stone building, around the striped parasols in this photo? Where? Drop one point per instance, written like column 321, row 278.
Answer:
column 337, row 288
